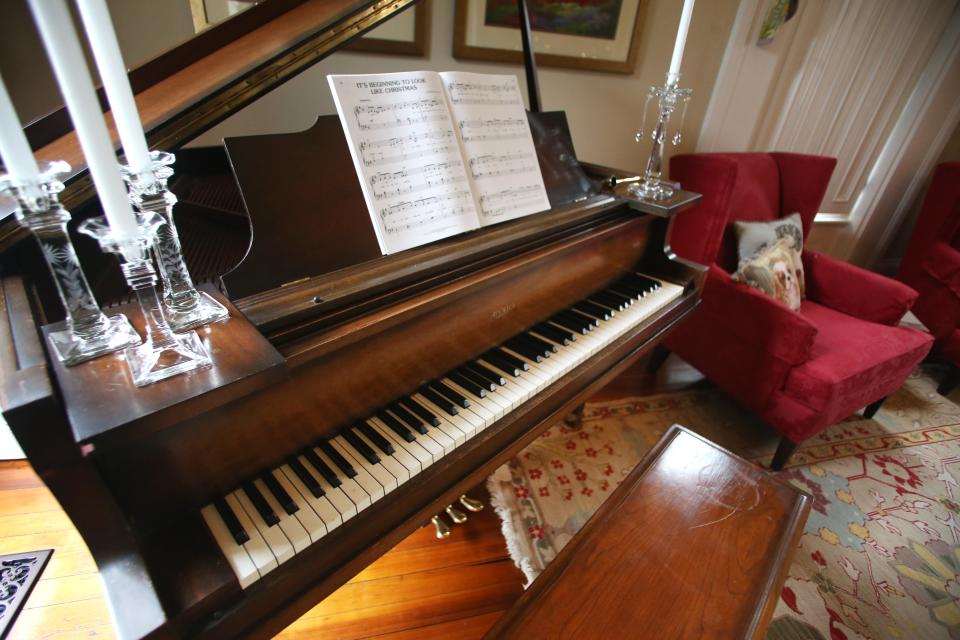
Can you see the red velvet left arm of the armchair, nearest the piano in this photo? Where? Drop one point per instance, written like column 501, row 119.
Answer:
column 755, row 319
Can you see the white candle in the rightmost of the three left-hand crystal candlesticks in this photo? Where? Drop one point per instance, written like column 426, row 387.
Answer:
column 106, row 51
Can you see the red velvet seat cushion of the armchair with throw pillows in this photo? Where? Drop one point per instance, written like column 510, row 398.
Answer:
column 852, row 361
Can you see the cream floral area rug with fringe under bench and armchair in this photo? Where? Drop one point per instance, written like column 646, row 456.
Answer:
column 880, row 555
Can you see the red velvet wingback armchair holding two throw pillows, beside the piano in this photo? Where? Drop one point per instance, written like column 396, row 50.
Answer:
column 799, row 371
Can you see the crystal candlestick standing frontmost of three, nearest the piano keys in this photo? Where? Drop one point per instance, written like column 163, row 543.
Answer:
column 163, row 353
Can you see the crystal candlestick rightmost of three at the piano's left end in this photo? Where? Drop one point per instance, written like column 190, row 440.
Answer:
column 186, row 308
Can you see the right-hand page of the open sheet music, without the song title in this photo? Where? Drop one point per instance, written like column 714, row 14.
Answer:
column 498, row 148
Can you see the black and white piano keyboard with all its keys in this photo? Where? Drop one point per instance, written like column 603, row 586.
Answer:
column 269, row 519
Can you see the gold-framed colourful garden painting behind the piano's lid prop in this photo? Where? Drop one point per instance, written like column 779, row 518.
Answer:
column 598, row 35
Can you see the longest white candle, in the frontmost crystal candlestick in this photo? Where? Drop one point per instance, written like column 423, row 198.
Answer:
column 66, row 57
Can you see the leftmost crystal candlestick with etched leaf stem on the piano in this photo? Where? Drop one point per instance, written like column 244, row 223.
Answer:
column 89, row 333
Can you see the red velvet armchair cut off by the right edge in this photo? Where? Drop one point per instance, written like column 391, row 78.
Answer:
column 931, row 265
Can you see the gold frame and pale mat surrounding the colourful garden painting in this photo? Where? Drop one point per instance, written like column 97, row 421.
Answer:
column 477, row 39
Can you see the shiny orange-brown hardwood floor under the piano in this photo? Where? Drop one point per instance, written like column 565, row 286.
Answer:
column 423, row 588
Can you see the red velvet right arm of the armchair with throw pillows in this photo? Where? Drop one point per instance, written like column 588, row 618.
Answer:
column 855, row 291
